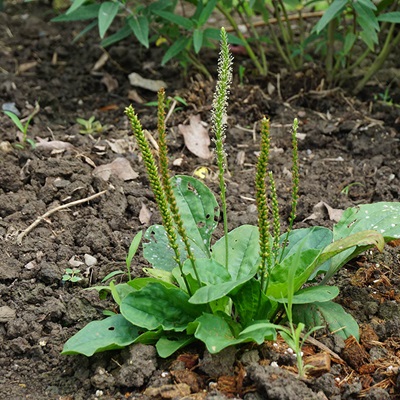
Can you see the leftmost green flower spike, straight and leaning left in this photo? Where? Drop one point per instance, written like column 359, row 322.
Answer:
column 156, row 187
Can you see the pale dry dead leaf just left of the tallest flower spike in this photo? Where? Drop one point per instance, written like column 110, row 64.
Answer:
column 196, row 137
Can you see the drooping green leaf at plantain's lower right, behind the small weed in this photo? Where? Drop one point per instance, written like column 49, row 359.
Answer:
column 326, row 313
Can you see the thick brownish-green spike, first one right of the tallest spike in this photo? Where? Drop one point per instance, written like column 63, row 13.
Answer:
column 262, row 203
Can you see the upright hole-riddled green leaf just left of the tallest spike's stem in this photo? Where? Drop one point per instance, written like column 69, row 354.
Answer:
column 198, row 209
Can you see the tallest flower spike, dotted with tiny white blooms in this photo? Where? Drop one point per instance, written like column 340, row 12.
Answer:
column 218, row 116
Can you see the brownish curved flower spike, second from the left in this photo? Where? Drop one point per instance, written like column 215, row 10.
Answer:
column 166, row 182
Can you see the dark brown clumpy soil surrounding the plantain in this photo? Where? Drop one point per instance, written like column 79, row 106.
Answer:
column 349, row 155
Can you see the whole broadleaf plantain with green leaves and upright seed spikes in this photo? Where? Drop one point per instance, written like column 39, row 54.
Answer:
column 245, row 286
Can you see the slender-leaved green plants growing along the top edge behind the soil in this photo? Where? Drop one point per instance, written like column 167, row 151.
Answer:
column 349, row 35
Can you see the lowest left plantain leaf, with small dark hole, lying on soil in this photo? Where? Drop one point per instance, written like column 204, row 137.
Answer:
column 109, row 334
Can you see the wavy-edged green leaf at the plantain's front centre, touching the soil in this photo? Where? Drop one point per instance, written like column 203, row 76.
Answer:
column 216, row 333
